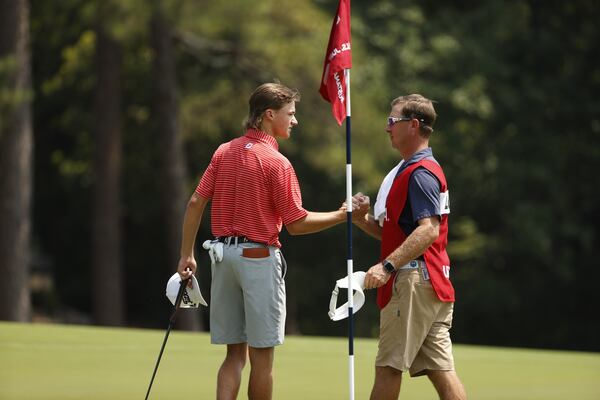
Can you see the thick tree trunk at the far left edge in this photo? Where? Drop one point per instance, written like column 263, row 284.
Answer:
column 16, row 150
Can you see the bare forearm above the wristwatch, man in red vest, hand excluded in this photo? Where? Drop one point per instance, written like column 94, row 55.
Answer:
column 417, row 242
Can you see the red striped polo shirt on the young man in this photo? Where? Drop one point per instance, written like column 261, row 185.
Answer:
column 253, row 189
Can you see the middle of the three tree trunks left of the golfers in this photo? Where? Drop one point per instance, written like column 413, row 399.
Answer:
column 108, row 299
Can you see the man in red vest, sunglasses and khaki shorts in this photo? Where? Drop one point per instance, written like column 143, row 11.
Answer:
column 414, row 293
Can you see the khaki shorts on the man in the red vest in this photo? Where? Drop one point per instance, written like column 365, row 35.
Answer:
column 414, row 327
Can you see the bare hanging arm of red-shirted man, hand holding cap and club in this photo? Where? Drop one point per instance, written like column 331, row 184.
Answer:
column 191, row 221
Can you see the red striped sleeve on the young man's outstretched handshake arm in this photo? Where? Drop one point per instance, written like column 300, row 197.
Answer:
column 287, row 196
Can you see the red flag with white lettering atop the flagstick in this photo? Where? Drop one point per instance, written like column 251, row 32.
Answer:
column 338, row 58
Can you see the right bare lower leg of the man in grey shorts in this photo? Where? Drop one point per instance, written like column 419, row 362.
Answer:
column 260, row 386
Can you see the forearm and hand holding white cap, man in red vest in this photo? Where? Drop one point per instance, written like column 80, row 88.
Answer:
column 416, row 243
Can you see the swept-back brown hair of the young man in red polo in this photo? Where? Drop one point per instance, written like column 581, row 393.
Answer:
column 268, row 96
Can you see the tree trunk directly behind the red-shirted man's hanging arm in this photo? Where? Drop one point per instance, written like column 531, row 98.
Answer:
column 166, row 110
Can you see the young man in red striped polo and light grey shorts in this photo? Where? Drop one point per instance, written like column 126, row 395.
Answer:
column 254, row 192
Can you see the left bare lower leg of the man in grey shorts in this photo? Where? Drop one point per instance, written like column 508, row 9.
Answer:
column 230, row 373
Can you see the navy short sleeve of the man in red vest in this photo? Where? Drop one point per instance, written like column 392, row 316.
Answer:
column 424, row 193
